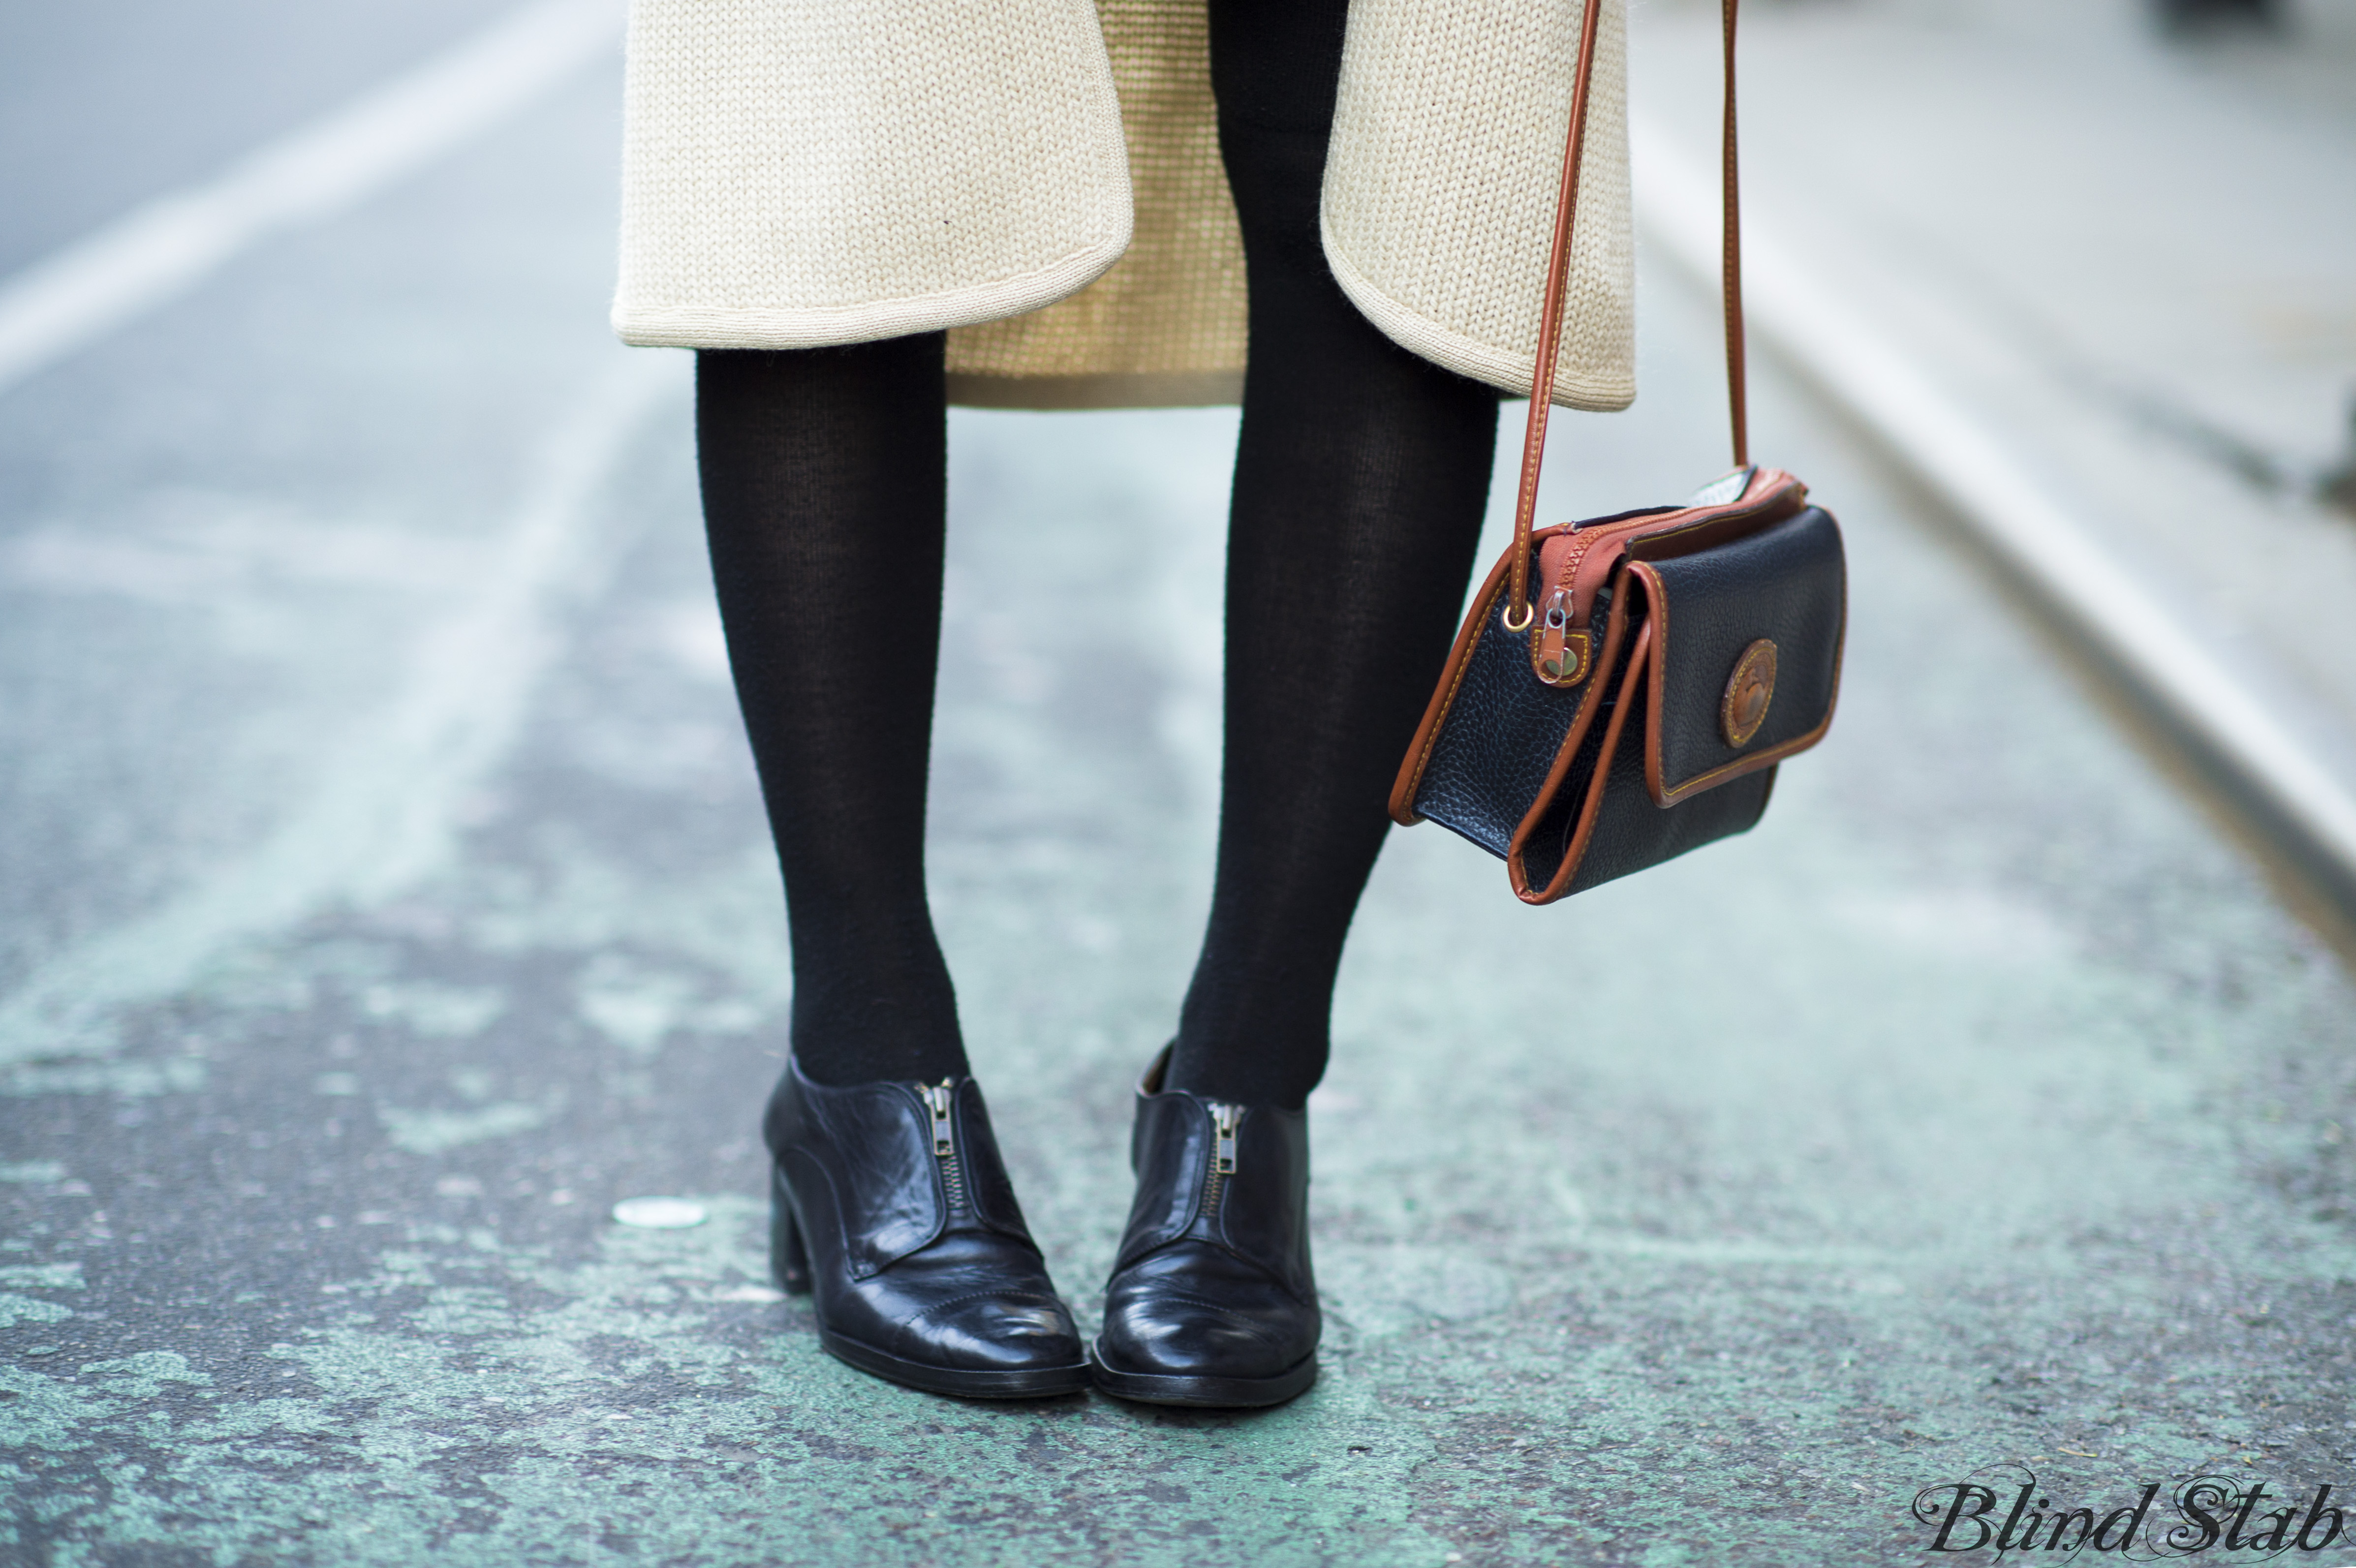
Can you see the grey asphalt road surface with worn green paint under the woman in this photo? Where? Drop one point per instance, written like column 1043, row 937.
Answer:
column 385, row 896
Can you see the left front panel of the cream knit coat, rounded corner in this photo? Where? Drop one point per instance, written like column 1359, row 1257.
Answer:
column 838, row 173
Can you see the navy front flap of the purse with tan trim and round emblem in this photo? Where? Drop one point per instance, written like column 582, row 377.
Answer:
column 1745, row 653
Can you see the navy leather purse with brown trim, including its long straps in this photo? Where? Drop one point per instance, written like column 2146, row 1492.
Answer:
column 1624, row 689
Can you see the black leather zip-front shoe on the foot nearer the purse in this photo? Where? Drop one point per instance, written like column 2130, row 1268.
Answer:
column 1212, row 1301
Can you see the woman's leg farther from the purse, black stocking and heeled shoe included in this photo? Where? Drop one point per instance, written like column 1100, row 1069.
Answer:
column 823, row 496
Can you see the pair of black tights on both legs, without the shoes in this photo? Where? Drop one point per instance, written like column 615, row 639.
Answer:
column 1358, row 496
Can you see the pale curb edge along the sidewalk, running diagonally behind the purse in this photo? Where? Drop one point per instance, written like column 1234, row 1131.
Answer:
column 2008, row 514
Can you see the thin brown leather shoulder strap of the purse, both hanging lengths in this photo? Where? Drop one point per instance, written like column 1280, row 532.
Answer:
column 1558, row 270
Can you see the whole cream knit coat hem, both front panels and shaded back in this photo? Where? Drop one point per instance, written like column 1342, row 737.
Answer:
column 1043, row 180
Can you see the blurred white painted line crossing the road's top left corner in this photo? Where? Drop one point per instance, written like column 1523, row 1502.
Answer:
column 173, row 244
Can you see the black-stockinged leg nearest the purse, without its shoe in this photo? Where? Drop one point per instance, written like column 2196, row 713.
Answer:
column 1361, row 484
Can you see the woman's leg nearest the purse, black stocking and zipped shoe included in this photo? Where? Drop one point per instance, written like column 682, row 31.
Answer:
column 1358, row 498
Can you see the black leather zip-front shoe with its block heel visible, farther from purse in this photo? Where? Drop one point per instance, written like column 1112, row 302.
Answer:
column 889, row 1204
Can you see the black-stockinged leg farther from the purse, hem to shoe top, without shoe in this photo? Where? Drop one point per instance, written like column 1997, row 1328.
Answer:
column 823, row 479
